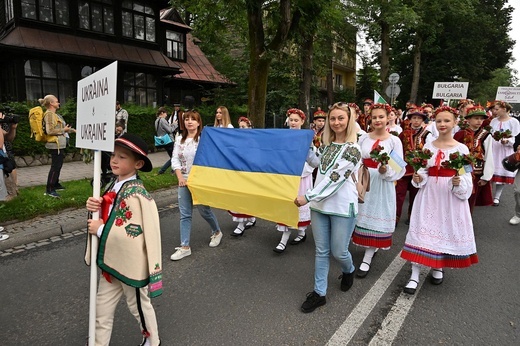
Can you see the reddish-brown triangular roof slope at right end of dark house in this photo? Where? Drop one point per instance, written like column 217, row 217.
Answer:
column 197, row 67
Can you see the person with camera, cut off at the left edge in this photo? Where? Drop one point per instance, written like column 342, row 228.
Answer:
column 9, row 123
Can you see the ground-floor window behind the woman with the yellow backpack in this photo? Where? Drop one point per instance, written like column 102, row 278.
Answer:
column 45, row 77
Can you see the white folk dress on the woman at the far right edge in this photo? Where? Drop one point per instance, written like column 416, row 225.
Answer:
column 500, row 151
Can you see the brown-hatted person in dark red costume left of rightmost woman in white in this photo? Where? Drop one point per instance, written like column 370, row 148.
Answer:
column 479, row 143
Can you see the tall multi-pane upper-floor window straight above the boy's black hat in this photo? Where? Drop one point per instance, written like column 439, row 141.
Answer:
column 138, row 20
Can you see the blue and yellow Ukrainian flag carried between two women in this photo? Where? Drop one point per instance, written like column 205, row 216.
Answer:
column 251, row 171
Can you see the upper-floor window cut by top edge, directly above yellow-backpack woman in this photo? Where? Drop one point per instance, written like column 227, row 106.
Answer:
column 52, row 11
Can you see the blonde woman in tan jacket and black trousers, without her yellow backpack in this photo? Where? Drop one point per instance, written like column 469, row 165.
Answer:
column 55, row 125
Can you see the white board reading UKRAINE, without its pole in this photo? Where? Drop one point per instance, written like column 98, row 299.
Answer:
column 95, row 122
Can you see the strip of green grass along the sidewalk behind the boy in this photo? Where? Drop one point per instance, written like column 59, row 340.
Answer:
column 31, row 201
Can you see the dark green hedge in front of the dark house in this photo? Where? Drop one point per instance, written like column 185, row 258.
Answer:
column 141, row 122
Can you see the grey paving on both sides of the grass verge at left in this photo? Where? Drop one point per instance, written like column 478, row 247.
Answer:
column 29, row 233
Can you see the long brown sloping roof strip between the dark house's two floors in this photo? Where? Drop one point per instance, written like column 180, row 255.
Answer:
column 65, row 44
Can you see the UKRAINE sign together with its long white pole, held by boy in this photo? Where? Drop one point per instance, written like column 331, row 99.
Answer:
column 95, row 129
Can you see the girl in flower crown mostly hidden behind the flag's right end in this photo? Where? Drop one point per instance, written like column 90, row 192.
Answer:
column 296, row 118
